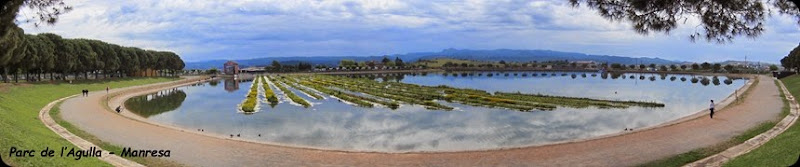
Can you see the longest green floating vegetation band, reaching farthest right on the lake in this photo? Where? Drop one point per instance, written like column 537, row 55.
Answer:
column 428, row 95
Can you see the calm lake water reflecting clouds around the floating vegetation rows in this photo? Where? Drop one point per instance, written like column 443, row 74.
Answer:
column 330, row 124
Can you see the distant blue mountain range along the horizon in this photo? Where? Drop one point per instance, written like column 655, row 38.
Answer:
column 509, row 55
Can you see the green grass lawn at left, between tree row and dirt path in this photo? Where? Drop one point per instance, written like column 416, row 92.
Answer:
column 20, row 126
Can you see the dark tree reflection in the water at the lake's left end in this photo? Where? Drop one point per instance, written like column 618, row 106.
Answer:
column 156, row 103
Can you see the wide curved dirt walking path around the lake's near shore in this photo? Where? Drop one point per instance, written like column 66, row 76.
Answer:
column 762, row 104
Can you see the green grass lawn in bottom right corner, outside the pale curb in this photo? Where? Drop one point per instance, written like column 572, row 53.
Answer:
column 782, row 150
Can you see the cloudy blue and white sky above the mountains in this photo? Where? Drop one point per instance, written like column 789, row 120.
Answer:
column 241, row 29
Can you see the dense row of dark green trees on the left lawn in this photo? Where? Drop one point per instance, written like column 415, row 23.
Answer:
column 35, row 56
